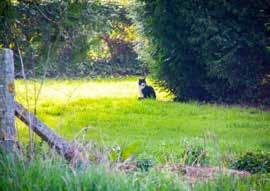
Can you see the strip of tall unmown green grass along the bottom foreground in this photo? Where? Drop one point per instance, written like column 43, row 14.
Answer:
column 44, row 173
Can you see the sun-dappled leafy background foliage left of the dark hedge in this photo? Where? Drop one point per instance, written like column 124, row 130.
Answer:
column 61, row 37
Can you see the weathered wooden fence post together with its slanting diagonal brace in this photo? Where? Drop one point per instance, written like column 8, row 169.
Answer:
column 9, row 108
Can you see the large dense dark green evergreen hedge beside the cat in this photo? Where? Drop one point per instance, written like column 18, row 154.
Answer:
column 210, row 49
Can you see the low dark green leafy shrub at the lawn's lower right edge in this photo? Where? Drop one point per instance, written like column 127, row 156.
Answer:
column 253, row 162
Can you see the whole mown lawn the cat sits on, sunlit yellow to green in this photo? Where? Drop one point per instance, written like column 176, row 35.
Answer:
column 155, row 129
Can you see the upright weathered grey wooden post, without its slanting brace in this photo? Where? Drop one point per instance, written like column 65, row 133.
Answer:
column 7, row 129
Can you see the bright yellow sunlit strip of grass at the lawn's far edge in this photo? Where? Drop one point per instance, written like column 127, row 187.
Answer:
column 67, row 90
